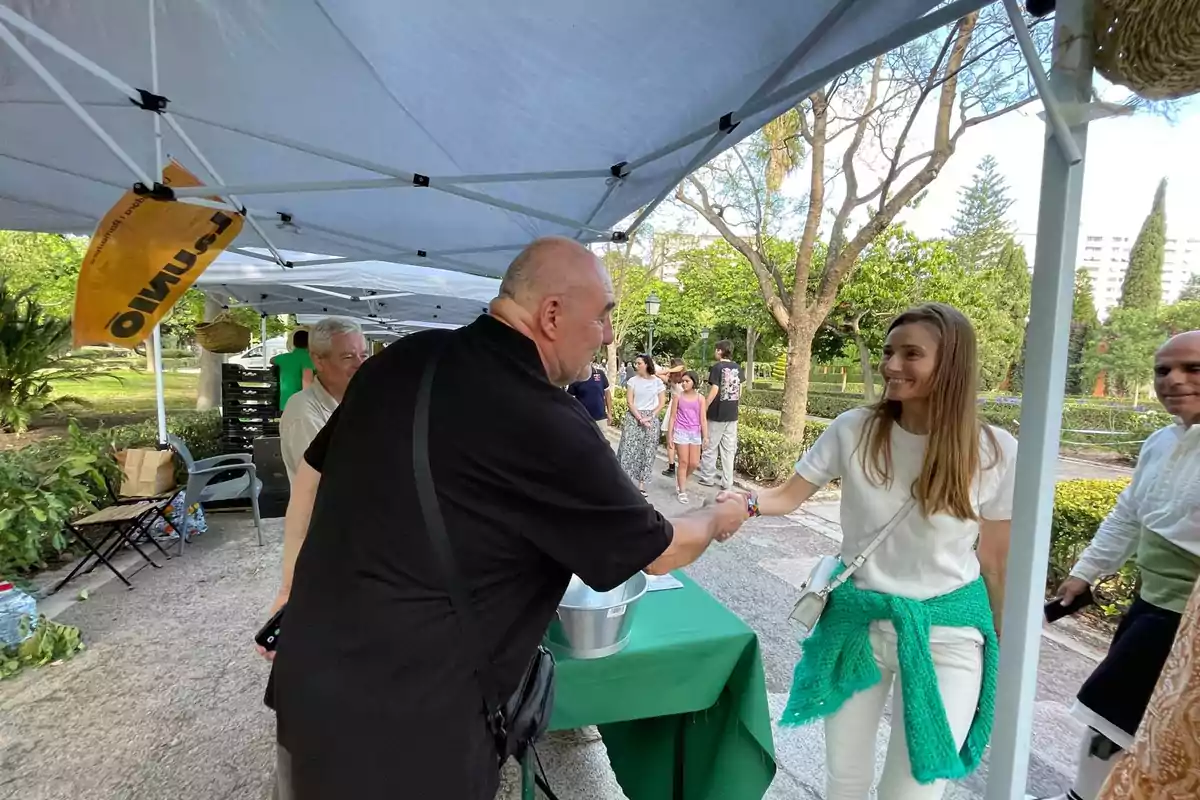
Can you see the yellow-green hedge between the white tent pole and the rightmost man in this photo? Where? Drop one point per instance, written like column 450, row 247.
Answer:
column 1079, row 509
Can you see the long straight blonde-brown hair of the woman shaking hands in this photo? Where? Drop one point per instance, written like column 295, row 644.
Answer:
column 952, row 456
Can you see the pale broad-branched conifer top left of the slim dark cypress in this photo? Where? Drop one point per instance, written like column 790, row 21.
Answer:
column 981, row 228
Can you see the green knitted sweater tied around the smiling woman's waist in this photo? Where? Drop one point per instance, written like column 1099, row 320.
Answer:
column 838, row 661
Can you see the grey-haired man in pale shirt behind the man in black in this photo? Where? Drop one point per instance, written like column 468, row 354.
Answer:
column 338, row 350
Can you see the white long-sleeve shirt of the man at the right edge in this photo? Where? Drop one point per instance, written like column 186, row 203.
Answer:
column 1163, row 497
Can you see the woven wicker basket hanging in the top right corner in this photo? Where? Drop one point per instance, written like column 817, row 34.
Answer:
column 1150, row 46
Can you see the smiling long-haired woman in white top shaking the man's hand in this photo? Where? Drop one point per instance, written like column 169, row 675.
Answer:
column 920, row 465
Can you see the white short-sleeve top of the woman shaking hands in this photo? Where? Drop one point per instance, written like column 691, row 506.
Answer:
column 923, row 557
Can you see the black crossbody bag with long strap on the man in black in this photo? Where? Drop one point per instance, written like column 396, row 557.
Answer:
column 521, row 720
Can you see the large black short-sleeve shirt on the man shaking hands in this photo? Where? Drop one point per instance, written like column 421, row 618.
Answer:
column 374, row 687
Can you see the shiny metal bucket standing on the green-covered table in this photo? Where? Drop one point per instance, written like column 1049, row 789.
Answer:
column 595, row 624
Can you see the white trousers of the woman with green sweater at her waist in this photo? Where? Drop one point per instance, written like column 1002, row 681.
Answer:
column 851, row 733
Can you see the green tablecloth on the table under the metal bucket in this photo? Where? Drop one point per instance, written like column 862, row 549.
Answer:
column 683, row 709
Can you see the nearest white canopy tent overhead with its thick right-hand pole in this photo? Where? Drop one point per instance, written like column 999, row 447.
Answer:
column 453, row 135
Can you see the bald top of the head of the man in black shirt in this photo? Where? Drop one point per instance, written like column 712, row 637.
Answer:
column 553, row 266
